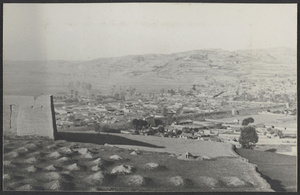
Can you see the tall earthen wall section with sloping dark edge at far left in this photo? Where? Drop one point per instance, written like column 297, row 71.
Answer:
column 24, row 115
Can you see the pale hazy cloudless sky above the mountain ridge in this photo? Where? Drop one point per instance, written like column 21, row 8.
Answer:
column 89, row 31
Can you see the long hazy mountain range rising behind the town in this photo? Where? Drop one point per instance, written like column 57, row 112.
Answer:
column 150, row 72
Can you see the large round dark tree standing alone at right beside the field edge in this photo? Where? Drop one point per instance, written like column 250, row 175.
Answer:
column 248, row 137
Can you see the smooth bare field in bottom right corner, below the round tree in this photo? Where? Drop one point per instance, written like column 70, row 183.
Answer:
column 278, row 169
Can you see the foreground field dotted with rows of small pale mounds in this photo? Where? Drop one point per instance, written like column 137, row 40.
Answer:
column 73, row 166
